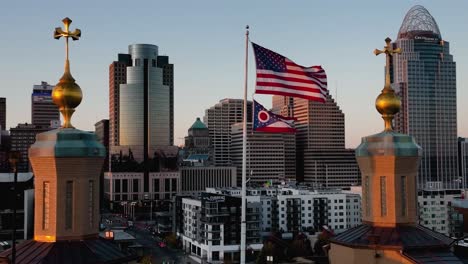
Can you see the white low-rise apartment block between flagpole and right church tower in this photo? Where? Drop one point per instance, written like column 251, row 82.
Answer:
column 298, row 209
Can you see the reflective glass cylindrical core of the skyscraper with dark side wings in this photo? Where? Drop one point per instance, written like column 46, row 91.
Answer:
column 144, row 101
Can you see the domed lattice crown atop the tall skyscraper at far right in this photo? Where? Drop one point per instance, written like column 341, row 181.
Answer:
column 419, row 22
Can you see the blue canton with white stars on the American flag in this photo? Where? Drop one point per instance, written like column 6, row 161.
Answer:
column 268, row 60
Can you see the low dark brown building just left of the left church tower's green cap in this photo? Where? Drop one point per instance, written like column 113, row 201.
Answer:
column 22, row 137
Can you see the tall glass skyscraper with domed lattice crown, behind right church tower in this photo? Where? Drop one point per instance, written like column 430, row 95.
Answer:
column 424, row 76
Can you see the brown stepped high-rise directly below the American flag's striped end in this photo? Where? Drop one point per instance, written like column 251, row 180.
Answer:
column 322, row 159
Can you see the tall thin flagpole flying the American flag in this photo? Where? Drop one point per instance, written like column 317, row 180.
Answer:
column 244, row 154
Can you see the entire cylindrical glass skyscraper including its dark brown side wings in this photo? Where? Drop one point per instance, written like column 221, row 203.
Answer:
column 141, row 111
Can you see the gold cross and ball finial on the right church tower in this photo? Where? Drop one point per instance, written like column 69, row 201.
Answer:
column 388, row 103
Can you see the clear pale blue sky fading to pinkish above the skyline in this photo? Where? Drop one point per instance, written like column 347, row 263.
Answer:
column 205, row 41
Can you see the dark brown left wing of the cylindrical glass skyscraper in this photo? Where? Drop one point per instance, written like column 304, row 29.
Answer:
column 117, row 76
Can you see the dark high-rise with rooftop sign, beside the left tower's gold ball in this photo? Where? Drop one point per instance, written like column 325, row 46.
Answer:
column 43, row 110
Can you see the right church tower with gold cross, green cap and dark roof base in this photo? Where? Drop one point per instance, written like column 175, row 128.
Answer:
column 389, row 232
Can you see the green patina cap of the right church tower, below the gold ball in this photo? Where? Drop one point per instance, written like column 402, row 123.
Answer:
column 388, row 144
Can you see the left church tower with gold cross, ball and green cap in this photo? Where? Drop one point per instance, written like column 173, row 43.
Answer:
column 67, row 163
